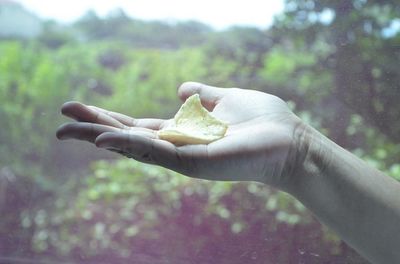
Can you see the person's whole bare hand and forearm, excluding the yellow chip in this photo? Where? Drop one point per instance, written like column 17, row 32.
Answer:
column 267, row 143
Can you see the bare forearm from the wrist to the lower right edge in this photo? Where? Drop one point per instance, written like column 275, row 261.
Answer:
column 355, row 200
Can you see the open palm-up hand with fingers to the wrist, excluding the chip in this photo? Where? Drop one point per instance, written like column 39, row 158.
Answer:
column 256, row 146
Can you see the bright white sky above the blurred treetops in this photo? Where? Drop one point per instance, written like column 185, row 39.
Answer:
column 217, row 13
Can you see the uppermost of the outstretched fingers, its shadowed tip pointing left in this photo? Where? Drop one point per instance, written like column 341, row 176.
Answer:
column 83, row 113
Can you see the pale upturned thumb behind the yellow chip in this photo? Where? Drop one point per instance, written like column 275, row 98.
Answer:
column 209, row 95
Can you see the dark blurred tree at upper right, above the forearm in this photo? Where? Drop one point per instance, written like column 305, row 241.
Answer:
column 363, row 49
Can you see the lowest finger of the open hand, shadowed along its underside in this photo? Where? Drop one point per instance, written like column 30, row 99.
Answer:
column 148, row 150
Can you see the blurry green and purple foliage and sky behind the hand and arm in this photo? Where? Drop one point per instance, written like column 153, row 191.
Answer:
column 335, row 62
